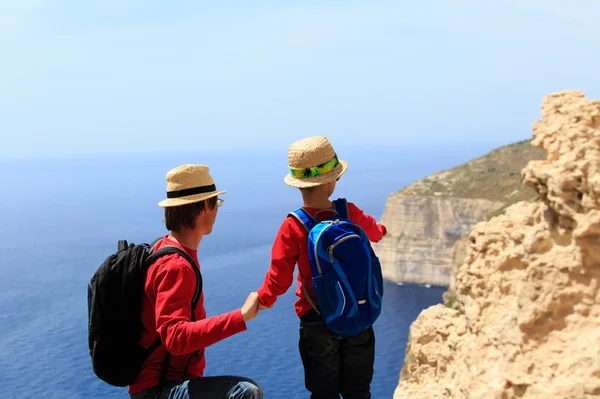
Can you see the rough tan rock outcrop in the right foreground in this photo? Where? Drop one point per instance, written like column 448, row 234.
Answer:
column 527, row 318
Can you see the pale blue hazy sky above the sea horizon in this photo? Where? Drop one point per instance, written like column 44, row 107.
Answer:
column 83, row 77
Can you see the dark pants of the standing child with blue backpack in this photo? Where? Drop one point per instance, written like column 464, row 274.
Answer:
column 334, row 364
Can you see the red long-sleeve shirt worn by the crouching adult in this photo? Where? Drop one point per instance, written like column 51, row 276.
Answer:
column 166, row 312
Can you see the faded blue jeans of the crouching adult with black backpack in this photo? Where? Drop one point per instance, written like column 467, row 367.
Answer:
column 227, row 387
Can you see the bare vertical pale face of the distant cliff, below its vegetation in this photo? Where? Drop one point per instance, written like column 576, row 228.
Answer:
column 422, row 232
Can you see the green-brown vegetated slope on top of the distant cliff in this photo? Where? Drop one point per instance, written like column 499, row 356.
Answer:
column 495, row 176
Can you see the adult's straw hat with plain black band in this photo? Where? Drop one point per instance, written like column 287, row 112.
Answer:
column 187, row 184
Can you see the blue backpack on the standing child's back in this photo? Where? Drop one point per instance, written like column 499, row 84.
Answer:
column 347, row 278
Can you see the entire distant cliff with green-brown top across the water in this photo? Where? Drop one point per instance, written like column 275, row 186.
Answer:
column 426, row 219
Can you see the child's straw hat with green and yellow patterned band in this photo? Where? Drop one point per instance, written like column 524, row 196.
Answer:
column 313, row 162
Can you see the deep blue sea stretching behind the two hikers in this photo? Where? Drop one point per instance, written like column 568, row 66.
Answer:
column 62, row 217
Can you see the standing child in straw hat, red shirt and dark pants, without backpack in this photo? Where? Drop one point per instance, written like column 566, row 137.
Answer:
column 333, row 364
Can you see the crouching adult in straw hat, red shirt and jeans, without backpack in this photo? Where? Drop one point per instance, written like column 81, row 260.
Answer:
column 190, row 210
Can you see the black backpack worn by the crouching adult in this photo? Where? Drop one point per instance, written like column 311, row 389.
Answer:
column 115, row 295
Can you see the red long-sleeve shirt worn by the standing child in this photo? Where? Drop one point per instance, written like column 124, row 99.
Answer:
column 291, row 248
